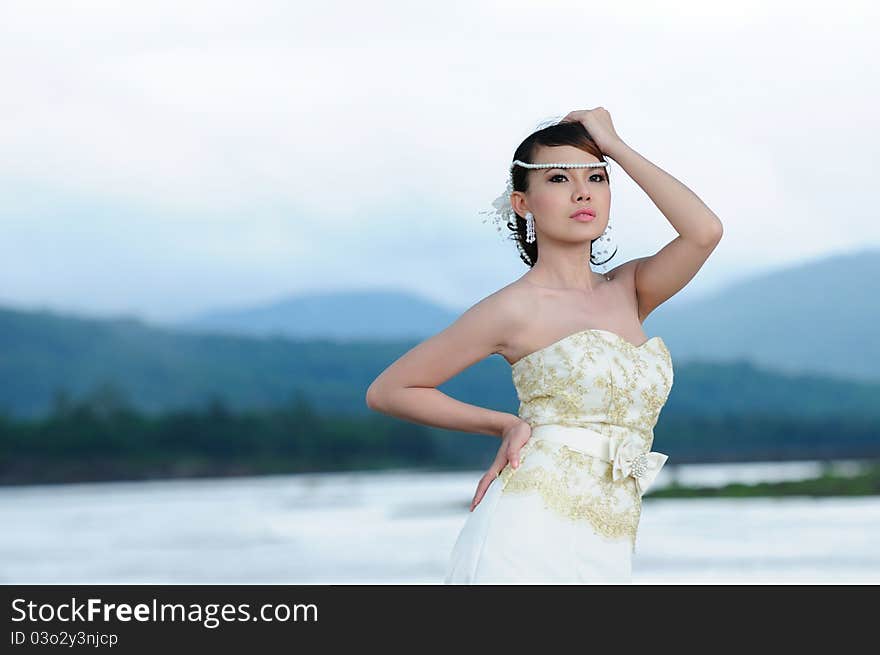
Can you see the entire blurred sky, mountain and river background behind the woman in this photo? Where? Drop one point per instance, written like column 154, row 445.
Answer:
column 220, row 221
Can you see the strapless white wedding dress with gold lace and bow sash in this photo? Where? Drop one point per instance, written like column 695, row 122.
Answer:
column 569, row 514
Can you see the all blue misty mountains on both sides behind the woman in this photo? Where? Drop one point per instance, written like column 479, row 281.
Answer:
column 796, row 340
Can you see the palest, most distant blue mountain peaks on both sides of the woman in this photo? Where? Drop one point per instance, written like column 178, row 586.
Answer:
column 820, row 316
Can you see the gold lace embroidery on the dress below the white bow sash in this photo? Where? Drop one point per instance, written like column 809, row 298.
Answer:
column 578, row 487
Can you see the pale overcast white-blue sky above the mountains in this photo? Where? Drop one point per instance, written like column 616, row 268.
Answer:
column 165, row 158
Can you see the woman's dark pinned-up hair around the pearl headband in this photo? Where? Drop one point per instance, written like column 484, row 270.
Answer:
column 568, row 133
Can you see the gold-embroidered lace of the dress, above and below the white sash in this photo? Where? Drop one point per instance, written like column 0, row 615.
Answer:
column 598, row 380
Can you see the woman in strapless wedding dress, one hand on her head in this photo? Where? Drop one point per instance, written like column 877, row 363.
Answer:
column 561, row 502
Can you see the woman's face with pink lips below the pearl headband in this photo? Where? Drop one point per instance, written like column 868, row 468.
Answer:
column 556, row 193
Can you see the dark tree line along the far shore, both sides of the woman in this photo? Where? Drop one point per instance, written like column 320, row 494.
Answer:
column 101, row 436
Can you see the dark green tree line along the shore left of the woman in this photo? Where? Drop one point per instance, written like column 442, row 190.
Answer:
column 101, row 436
